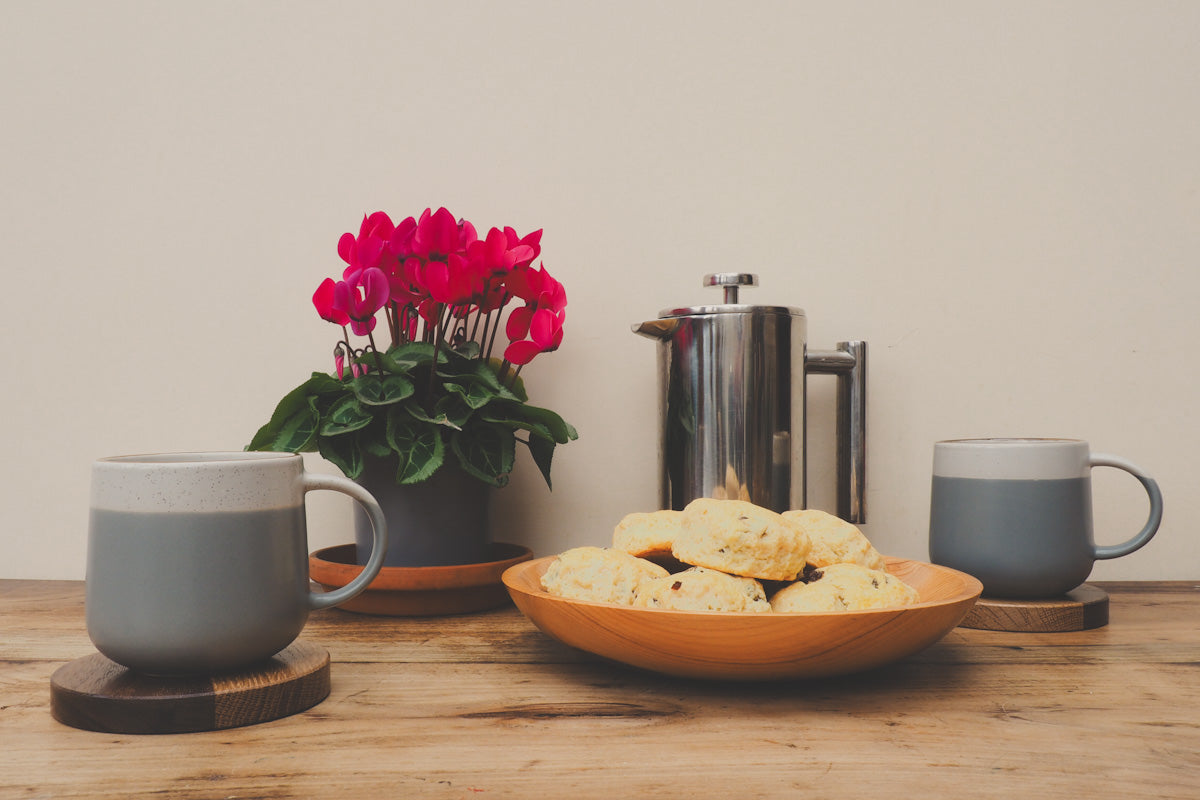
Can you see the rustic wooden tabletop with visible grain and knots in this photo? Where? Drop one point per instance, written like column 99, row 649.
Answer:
column 488, row 707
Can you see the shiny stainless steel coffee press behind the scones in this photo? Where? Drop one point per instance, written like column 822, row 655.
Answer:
column 733, row 404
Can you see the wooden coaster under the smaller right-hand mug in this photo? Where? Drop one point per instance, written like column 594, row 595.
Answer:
column 1079, row 610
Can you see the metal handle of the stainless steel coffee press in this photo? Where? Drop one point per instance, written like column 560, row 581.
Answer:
column 849, row 363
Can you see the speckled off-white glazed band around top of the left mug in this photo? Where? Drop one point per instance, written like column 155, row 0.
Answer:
column 199, row 482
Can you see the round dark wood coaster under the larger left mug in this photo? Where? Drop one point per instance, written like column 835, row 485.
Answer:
column 95, row 694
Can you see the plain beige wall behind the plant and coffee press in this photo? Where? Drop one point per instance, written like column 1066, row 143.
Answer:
column 1001, row 197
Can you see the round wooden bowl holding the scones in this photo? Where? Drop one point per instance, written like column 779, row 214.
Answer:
column 752, row 647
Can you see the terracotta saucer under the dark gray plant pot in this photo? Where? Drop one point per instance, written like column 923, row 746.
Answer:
column 421, row 591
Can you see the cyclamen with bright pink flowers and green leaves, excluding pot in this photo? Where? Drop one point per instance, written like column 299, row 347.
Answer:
column 436, row 392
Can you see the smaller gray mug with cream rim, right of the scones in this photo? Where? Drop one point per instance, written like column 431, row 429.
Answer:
column 1017, row 514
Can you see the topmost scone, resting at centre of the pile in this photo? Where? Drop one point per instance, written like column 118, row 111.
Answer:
column 742, row 539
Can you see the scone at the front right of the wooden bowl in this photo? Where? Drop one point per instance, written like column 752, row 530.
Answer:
column 844, row 587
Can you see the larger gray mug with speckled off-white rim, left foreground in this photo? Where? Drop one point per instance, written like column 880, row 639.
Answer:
column 199, row 563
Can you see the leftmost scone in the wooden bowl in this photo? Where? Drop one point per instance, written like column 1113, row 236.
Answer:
column 598, row 574
